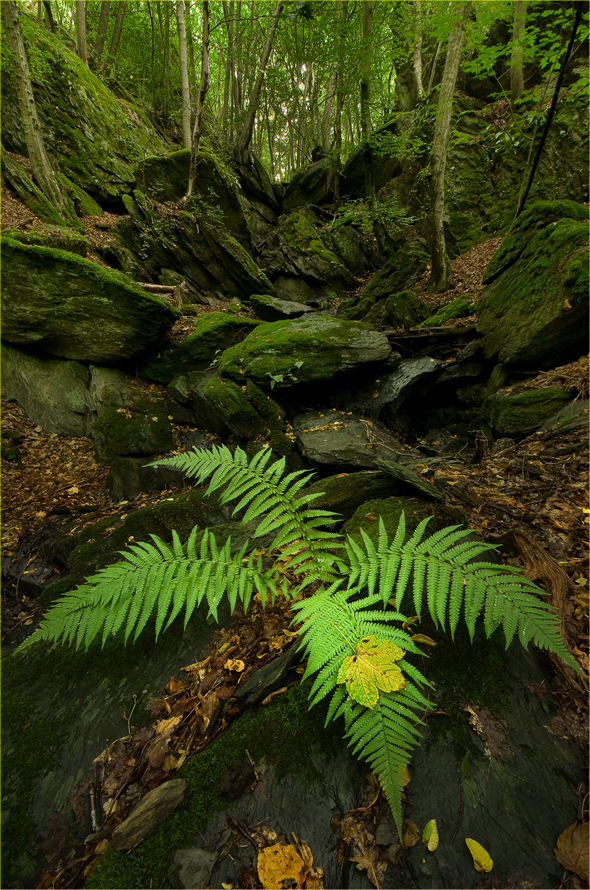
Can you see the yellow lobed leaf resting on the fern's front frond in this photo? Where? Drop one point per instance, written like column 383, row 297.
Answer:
column 371, row 669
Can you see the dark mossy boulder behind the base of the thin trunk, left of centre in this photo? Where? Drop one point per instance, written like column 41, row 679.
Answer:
column 215, row 193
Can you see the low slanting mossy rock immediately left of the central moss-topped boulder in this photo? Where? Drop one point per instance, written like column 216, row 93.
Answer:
column 213, row 333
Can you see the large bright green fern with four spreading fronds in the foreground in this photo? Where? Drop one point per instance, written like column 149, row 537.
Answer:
column 351, row 604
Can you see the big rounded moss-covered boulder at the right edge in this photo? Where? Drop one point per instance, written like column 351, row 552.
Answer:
column 534, row 311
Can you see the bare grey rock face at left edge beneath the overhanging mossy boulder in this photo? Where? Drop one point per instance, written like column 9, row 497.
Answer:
column 52, row 392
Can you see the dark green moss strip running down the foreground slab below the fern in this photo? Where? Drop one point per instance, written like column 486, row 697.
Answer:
column 284, row 734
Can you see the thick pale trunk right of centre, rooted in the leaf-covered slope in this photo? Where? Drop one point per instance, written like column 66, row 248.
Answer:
column 438, row 159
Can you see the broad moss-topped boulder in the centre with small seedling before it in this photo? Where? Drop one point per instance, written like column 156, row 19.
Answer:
column 314, row 347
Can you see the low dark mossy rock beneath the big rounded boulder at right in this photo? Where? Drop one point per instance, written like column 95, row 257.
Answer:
column 519, row 413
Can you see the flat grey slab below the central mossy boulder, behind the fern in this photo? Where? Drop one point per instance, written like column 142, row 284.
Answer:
column 334, row 438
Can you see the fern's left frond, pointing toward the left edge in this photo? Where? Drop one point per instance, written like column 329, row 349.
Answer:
column 154, row 578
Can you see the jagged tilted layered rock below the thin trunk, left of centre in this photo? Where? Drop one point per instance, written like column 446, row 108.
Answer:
column 192, row 244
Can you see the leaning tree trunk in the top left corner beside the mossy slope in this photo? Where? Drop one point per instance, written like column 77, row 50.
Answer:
column 43, row 172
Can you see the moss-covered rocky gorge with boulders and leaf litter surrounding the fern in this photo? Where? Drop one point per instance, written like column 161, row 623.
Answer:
column 250, row 315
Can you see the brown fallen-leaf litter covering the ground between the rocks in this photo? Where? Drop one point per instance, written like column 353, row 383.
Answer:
column 528, row 495
